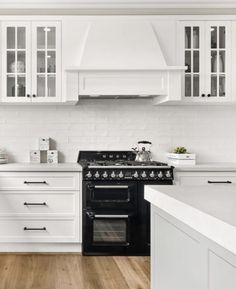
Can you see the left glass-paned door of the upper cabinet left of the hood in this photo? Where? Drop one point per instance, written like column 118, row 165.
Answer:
column 16, row 62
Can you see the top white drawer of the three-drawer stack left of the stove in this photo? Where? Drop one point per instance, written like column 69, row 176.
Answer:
column 39, row 181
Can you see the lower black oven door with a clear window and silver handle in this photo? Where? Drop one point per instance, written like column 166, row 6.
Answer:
column 108, row 234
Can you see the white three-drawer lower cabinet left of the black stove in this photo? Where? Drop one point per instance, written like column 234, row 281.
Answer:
column 39, row 207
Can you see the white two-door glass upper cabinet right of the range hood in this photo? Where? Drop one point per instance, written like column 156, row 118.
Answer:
column 206, row 51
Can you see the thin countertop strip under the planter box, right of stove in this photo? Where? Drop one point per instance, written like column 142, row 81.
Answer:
column 223, row 167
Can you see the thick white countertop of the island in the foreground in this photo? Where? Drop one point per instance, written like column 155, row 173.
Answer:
column 210, row 210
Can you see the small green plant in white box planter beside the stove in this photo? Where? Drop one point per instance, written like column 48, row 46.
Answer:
column 181, row 156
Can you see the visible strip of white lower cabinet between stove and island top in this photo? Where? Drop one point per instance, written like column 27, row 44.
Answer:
column 205, row 178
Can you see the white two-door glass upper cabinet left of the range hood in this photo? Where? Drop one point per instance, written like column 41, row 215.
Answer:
column 31, row 62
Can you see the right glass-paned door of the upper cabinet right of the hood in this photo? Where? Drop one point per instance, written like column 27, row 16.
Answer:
column 217, row 65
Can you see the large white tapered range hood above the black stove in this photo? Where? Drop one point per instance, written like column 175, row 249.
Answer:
column 124, row 59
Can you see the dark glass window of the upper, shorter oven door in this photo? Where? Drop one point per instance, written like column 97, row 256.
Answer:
column 111, row 194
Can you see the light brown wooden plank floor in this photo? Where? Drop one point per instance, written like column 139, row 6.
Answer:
column 73, row 271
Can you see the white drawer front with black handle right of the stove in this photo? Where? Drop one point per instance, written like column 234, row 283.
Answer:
column 206, row 180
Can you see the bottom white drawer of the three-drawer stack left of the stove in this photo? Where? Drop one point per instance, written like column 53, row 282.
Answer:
column 43, row 230
